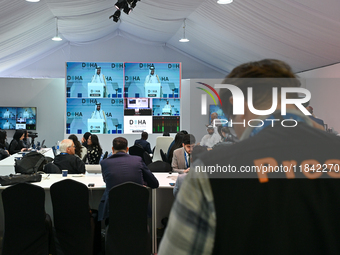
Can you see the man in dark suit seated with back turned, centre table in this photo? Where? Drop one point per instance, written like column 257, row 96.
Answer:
column 120, row 168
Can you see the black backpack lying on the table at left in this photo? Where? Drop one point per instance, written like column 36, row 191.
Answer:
column 30, row 163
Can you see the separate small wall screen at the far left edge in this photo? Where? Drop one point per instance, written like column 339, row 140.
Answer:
column 18, row 118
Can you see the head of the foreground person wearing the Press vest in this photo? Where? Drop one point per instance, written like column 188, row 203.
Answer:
column 270, row 71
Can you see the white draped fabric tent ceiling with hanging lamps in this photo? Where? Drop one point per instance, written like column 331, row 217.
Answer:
column 305, row 33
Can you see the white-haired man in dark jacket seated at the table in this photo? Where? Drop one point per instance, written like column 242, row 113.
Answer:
column 67, row 160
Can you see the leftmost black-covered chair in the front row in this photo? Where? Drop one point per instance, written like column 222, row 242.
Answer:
column 28, row 229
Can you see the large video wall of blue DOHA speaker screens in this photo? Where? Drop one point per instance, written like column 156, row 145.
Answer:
column 122, row 98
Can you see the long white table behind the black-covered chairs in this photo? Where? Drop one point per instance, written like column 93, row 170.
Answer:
column 162, row 197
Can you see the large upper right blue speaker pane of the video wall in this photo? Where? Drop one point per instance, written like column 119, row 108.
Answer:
column 152, row 80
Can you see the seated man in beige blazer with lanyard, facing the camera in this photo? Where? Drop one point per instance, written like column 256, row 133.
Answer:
column 181, row 157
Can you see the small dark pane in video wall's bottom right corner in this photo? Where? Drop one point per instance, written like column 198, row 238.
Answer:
column 163, row 124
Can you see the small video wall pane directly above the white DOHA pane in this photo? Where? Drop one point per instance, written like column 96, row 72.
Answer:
column 137, row 106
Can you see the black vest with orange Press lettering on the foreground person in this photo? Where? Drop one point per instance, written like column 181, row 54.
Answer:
column 296, row 211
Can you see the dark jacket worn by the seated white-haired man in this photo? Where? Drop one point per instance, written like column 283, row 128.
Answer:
column 72, row 163
